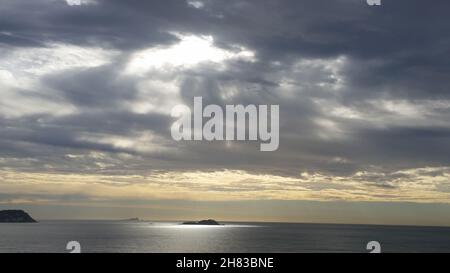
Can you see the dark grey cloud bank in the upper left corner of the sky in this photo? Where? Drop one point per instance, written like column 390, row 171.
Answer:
column 106, row 23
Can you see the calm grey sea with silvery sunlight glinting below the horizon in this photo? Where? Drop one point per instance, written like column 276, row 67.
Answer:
column 110, row 236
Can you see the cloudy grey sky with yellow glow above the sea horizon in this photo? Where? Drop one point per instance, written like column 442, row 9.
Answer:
column 87, row 89
